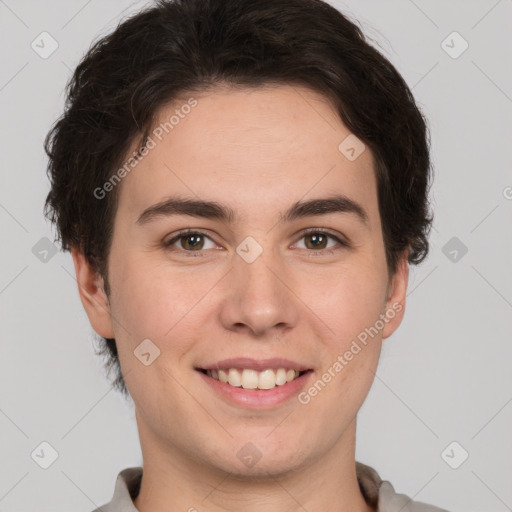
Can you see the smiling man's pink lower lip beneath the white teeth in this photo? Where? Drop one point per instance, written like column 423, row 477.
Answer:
column 257, row 398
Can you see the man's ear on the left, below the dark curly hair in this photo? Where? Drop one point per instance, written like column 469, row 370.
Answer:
column 92, row 295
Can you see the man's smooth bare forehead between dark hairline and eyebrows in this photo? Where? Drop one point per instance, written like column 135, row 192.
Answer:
column 256, row 148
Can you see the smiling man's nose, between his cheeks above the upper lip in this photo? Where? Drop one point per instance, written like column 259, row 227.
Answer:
column 259, row 298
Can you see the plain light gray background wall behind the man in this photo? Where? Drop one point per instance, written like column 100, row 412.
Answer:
column 445, row 374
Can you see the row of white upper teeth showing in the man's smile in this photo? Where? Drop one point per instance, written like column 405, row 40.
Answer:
column 251, row 379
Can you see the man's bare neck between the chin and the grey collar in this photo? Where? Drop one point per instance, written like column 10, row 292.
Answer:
column 174, row 481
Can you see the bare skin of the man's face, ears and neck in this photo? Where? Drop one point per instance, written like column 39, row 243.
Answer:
column 257, row 151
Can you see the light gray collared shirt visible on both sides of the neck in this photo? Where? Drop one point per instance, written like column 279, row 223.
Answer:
column 378, row 493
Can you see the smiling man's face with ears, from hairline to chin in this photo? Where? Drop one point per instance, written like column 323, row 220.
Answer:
column 257, row 277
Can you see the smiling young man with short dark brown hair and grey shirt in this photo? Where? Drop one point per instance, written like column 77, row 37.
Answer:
column 242, row 186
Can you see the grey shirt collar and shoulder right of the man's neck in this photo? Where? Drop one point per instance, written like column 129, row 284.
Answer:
column 381, row 495
